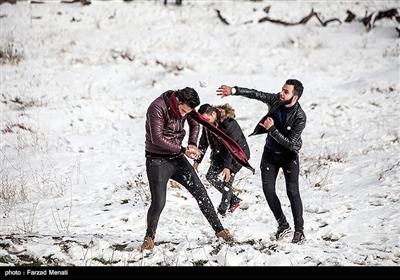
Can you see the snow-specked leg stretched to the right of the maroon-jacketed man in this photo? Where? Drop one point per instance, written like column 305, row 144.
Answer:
column 187, row 177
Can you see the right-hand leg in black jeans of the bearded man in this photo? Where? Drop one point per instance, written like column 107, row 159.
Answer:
column 291, row 171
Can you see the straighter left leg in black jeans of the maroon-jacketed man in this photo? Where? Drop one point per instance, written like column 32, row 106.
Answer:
column 158, row 173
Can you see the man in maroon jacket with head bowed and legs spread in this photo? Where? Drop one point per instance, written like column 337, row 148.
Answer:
column 165, row 158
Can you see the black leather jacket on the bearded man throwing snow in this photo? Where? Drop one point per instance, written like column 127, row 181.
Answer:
column 296, row 119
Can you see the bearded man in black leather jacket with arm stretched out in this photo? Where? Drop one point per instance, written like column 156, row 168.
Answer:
column 284, row 123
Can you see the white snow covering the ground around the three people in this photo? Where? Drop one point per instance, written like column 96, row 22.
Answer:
column 74, row 188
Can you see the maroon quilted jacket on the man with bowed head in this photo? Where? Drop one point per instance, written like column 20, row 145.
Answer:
column 164, row 132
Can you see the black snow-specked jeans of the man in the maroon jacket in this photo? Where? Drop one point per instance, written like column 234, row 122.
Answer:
column 159, row 171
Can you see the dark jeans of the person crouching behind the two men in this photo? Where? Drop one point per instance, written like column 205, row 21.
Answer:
column 228, row 198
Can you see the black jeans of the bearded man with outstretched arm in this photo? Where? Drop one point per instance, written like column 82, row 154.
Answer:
column 271, row 162
